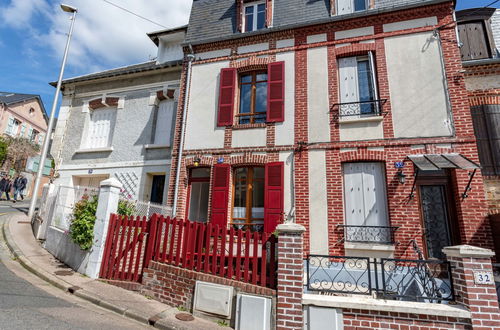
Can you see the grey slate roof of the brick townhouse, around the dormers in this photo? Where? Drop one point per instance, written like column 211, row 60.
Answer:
column 214, row 20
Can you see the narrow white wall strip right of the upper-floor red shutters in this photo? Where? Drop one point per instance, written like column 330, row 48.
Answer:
column 284, row 134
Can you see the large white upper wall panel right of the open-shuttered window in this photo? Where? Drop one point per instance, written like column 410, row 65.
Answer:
column 416, row 84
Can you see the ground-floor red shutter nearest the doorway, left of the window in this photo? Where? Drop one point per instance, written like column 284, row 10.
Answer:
column 220, row 194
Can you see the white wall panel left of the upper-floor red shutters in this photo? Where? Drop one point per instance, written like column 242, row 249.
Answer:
column 201, row 124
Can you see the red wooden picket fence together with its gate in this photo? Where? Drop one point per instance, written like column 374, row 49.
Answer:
column 234, row 254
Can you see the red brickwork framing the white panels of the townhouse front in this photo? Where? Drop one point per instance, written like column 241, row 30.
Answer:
column 405, row 213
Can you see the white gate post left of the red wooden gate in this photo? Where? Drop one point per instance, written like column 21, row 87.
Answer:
column 109, row 195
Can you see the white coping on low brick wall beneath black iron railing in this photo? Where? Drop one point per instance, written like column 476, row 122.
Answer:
column 392, row 306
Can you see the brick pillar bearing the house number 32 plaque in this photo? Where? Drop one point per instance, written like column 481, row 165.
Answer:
column 474, row 284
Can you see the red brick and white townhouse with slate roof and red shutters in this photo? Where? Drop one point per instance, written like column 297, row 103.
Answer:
column 350, row 117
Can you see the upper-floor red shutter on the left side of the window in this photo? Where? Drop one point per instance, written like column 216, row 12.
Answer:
column 227, row 86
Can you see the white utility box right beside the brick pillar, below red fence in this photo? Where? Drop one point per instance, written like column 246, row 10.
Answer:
column 253, row 312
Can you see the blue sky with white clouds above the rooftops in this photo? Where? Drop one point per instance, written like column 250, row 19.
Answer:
column 33, row 35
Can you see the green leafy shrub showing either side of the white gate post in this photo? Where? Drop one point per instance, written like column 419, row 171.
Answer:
column 83, row 219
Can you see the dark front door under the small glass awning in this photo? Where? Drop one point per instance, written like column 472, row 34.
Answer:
column 437, row 216
